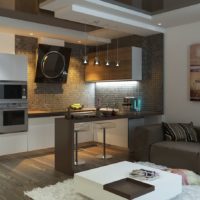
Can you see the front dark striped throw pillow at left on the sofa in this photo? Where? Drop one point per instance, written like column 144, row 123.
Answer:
column 174, row 132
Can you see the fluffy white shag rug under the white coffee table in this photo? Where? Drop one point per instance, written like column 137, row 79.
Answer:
column 66, row 191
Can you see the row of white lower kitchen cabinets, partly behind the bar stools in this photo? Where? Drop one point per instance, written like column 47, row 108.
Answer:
column 41, row 134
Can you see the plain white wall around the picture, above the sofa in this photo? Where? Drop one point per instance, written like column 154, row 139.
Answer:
column 178, row 107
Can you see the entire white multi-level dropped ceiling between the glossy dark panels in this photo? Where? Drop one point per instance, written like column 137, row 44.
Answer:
column 115, row 21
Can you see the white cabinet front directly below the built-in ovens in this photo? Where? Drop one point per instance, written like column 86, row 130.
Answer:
column 13, row 143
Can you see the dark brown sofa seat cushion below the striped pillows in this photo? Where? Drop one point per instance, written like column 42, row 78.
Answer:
column 183, row 155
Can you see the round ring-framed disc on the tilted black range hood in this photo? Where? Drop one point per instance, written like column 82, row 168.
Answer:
column 53, row 64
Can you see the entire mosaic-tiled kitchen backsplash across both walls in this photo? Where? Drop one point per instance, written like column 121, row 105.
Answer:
column 59, row 97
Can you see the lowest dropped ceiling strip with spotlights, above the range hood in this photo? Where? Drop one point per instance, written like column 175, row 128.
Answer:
column 26, row 28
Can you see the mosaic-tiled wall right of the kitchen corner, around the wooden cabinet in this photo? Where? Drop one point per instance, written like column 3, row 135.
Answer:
column 150, row 88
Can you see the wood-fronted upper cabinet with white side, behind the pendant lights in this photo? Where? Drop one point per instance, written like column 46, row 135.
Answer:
column 130, row 68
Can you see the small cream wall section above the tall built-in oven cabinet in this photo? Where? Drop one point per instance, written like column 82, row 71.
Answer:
column 7, row 42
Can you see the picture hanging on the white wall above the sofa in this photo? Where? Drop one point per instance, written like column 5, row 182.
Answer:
column 195, row 72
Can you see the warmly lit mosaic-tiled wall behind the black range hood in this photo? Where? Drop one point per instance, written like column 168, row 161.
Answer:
column 54, row 97
